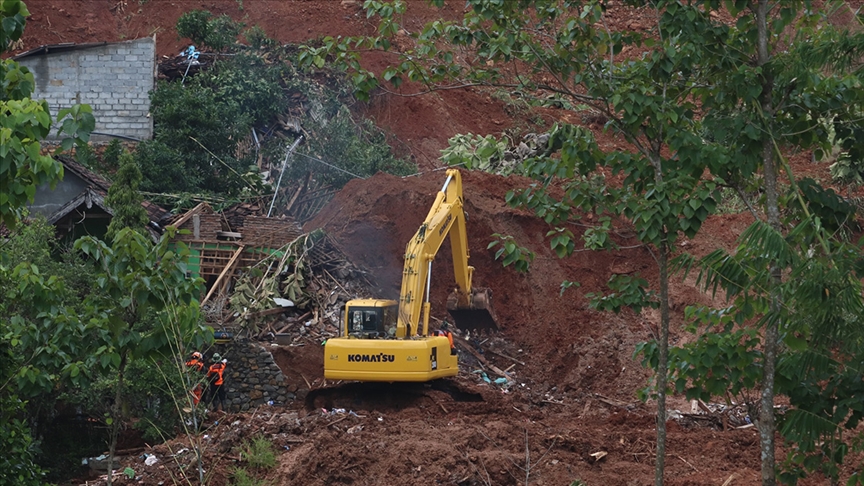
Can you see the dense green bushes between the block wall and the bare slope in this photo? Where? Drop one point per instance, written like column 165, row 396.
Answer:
column 204, row 143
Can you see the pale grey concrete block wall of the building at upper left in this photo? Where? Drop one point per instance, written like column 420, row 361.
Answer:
column 114, row 79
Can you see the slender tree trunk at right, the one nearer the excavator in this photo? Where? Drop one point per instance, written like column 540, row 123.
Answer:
column 663, row 365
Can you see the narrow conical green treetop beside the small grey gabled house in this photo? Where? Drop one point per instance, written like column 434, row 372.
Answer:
column 125, row 200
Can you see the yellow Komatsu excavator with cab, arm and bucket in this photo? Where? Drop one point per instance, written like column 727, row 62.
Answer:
column 389, row 341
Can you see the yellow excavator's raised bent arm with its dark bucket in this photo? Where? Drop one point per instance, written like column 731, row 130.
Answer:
column 469, row 307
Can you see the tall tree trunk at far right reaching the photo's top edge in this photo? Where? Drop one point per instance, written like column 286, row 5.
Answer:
column 772, row 335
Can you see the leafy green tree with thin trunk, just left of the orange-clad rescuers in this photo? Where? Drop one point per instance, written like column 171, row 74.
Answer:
column 147, row 307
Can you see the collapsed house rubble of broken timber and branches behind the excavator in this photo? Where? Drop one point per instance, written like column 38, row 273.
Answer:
column 255, row 267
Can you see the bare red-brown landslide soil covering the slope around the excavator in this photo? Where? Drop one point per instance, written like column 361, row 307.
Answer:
column 573, row 392
